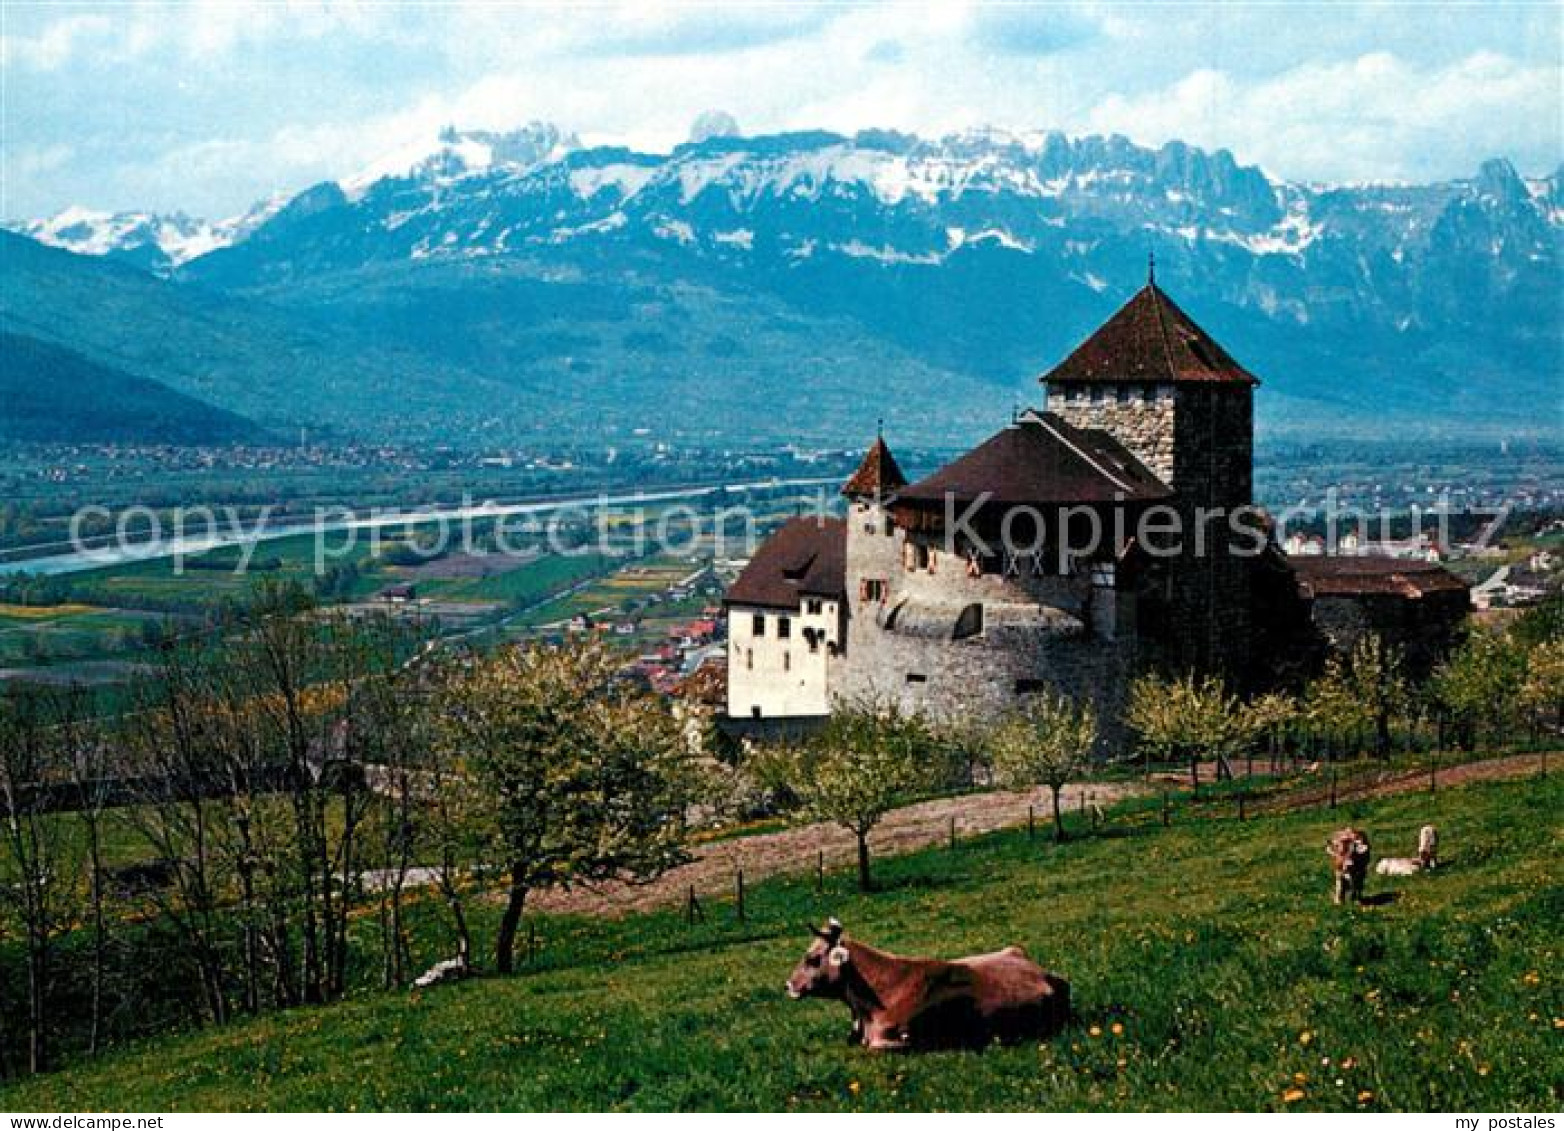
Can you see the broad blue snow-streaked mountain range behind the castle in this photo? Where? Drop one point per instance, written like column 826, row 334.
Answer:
column 741, row 264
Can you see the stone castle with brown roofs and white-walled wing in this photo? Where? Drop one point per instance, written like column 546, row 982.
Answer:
column 1108, row 534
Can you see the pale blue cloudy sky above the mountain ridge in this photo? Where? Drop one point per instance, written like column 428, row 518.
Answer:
column 210, row 106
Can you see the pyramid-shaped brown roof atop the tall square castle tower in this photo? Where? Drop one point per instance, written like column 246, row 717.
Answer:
column 1150, row 340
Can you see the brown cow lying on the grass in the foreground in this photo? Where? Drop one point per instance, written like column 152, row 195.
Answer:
column 927, row 1004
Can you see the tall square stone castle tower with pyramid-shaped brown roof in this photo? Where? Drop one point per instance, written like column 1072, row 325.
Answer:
column 1166, row 390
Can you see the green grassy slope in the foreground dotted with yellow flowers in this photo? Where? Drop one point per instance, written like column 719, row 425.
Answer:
column 1214, row 946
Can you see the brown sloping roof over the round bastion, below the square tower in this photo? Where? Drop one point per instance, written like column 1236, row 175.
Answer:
column 1041, row 459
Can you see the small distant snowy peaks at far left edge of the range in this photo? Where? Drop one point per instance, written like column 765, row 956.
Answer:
column 149, row 240
